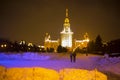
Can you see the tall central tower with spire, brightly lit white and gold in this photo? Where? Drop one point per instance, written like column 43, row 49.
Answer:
column 66, row 34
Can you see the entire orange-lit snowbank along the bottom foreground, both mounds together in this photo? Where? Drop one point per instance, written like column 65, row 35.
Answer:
column 38, row 73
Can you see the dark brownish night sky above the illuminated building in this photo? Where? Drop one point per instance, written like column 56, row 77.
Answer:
column 29, row 20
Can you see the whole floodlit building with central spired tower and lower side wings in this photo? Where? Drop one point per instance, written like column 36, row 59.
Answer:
column 66, row 39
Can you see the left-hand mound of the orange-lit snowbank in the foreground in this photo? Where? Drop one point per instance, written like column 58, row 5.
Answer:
column 29, row 74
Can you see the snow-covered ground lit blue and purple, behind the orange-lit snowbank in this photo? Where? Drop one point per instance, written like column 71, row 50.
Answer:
column 58, row 62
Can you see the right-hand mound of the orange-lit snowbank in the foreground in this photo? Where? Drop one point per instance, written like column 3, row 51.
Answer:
column 80, row 74
